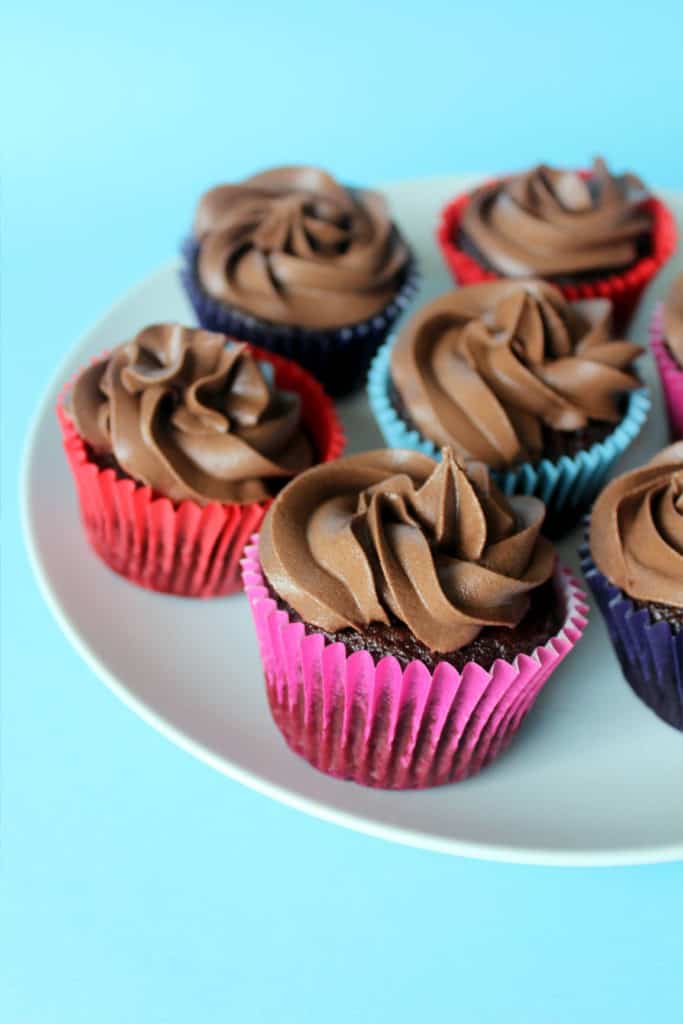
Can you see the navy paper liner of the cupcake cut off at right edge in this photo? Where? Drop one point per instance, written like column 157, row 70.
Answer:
column 651, row 654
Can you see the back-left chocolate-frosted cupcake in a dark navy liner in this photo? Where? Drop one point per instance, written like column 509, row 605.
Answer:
column 302, row 266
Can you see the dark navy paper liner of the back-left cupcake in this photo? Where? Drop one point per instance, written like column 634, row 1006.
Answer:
column 337, row 358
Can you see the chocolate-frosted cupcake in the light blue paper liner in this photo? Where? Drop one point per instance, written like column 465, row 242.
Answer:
column 511, row 374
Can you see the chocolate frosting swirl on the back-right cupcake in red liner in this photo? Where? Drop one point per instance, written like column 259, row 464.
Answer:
column 551, row 224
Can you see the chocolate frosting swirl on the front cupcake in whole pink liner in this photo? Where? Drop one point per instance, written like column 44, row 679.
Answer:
column 393, row 534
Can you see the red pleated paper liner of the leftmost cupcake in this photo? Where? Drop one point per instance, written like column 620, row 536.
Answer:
column 183, row 548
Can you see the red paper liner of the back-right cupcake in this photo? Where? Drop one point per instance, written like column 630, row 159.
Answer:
column 623, row 288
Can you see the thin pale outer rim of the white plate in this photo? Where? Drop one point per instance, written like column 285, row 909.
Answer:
column 406, row 836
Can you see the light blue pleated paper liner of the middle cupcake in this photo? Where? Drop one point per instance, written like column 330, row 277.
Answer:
column 568, row 487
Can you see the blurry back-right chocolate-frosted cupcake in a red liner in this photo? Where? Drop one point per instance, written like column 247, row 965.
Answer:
column 593, row 234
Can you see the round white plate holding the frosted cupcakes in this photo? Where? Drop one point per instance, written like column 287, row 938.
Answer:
column 593, row 778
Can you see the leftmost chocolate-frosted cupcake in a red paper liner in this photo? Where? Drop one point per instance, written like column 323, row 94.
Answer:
column 179, row 442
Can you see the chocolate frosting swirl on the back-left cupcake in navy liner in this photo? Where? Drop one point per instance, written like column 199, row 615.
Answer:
column 294, row 247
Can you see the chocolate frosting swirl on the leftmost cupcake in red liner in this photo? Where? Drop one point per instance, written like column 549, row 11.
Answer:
column 192, row 416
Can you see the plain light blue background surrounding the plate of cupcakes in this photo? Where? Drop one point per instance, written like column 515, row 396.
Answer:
column 137, row 884
